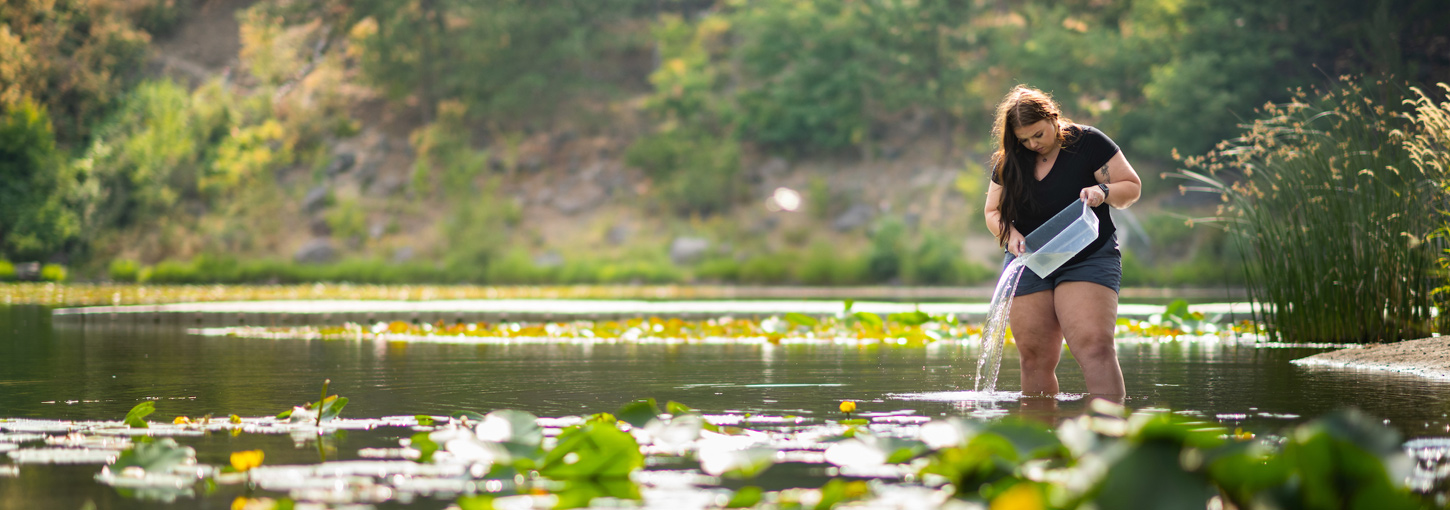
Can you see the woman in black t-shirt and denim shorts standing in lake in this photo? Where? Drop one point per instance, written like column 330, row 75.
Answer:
column 1045, row 163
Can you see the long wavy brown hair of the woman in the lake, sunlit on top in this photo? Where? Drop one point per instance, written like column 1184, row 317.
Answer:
column 1023, row 106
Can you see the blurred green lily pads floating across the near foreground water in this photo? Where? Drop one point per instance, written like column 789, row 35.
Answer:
column 507, row 459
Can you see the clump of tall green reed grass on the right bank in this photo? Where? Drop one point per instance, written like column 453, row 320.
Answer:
column 1341, row 227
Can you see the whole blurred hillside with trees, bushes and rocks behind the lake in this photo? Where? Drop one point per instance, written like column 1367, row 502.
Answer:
column 120, row 167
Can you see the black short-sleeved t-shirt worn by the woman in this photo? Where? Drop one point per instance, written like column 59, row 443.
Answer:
column 1087, row 151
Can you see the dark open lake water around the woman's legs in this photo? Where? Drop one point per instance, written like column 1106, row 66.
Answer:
column 99, row 373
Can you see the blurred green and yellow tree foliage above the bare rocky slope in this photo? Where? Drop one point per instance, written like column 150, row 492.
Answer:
column 721, row 82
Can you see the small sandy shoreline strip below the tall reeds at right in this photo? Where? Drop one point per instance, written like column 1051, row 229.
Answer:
column 1426, row 359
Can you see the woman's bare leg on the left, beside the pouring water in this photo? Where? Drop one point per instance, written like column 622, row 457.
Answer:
column 1039, row 343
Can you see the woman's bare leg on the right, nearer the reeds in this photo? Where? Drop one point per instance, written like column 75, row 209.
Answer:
column 1088, row 315
